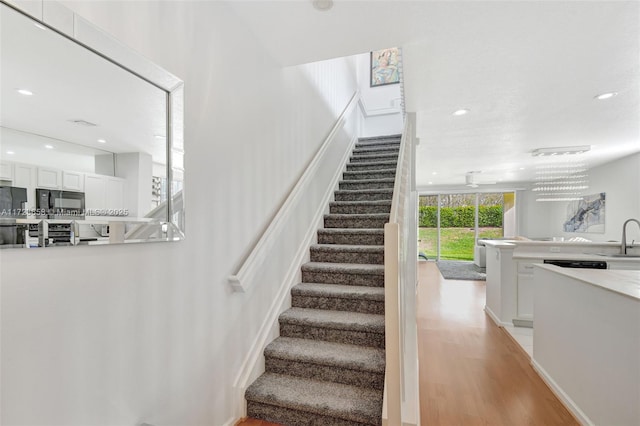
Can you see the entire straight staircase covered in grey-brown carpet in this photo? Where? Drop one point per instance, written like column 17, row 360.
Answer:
column 327, row 367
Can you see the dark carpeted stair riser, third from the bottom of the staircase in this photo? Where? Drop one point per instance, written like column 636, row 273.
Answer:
column 362, row 338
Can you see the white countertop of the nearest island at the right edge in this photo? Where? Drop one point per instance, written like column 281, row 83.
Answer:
column 626, row 283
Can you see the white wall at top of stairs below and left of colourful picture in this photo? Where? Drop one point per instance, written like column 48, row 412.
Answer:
column 380, row 105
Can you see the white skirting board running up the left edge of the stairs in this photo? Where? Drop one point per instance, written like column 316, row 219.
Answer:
column 252, row 367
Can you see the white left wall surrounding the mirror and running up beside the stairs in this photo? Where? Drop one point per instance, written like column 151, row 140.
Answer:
column 153, row 333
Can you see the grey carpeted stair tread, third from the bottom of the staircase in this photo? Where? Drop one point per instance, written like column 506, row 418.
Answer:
column 336, row 320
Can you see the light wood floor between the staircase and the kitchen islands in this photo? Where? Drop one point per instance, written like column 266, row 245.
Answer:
column 471, row 372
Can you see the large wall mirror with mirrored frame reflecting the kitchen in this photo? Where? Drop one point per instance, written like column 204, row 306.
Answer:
column 91, row 142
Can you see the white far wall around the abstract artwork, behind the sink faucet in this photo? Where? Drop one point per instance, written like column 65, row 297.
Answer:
column 620, row 180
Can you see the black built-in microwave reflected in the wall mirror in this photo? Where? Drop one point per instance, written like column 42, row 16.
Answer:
column 56, row 204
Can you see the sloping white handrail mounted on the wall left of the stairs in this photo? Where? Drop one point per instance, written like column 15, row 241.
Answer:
column 241, row 279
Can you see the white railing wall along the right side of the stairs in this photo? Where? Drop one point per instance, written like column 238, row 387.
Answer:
column 401, row 405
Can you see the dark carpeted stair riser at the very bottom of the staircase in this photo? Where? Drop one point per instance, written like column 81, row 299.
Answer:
column 290, row 417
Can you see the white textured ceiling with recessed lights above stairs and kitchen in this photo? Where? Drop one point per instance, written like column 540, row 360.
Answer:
column 527, row 71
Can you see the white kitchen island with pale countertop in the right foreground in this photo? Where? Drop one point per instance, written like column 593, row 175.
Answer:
column 586, row 342
